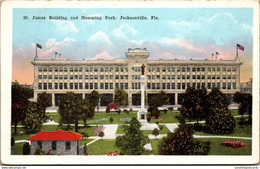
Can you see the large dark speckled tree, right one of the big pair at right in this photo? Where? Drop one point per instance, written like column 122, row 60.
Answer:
column 220, row 119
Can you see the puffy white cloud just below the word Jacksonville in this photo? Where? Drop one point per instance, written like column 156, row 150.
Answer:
column 124, row 31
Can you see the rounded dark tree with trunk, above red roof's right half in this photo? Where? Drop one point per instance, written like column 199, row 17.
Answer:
column 70, row 109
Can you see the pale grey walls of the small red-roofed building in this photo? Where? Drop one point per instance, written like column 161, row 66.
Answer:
column 60, row 147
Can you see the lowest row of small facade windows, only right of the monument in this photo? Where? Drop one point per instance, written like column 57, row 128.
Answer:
column 187, row 85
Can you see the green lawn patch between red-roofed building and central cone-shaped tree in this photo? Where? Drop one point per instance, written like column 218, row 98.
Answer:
column 102, row 147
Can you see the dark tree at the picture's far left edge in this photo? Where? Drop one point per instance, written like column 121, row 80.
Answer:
column 20, row 102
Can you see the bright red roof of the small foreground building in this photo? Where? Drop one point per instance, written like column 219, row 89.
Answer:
column 56, row 135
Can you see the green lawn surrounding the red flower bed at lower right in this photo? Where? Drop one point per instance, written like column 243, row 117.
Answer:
column 217, row 149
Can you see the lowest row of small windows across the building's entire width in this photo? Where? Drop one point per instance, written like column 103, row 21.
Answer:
column 76, row 86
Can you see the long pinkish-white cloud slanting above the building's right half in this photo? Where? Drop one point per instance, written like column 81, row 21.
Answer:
column 182, row 43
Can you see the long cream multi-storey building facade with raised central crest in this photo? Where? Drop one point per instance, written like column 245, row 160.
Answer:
column 56, row 77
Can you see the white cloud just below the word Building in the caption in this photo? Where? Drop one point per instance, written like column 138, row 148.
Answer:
column 65, row 25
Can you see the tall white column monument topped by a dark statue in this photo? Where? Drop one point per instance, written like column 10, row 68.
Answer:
column 141, row 115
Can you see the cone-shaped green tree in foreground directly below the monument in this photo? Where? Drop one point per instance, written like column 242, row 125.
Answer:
column 132, row 143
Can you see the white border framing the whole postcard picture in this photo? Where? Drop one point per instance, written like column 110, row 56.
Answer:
column 6, row 68
